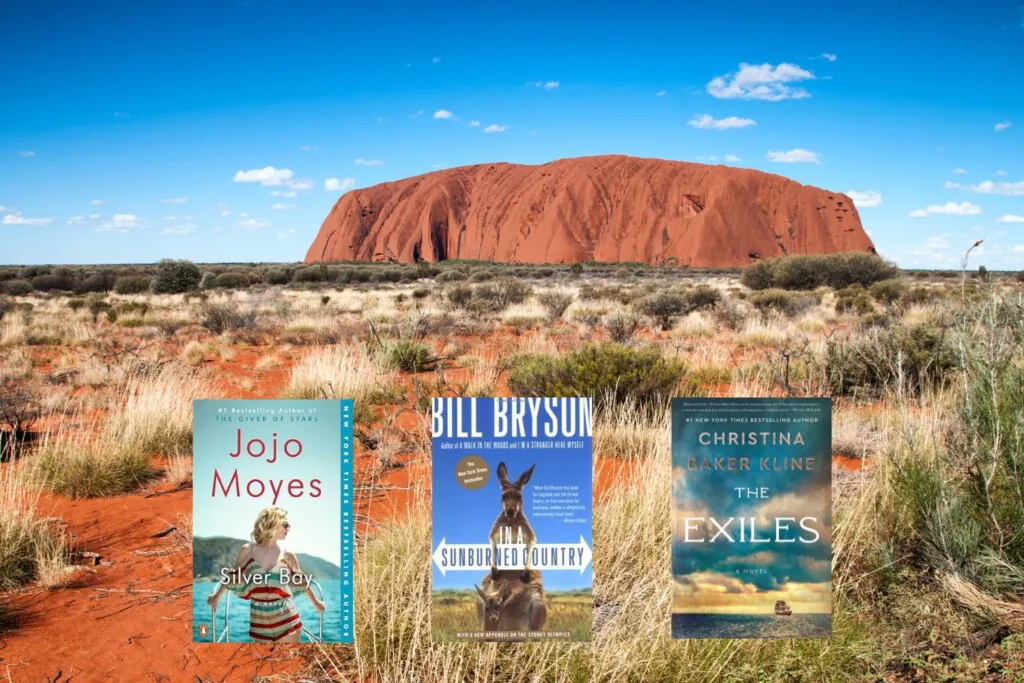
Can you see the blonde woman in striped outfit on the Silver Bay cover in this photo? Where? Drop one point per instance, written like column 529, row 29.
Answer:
column 273, row 616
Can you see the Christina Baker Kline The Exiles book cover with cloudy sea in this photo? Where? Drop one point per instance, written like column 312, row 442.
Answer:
column 752, row 518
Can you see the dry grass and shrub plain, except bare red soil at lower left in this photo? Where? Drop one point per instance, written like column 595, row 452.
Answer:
column 926, row 370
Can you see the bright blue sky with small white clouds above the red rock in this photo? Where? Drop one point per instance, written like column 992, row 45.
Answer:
column 135, row 132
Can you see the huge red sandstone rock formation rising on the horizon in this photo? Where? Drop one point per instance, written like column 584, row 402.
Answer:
column 608, row 208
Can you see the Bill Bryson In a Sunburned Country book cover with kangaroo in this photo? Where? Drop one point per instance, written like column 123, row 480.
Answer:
column 513, row 520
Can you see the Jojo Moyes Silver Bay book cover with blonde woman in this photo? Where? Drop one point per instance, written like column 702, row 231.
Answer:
column 273, row 524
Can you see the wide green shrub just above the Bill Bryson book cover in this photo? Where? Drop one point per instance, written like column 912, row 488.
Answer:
column 607, row 372
